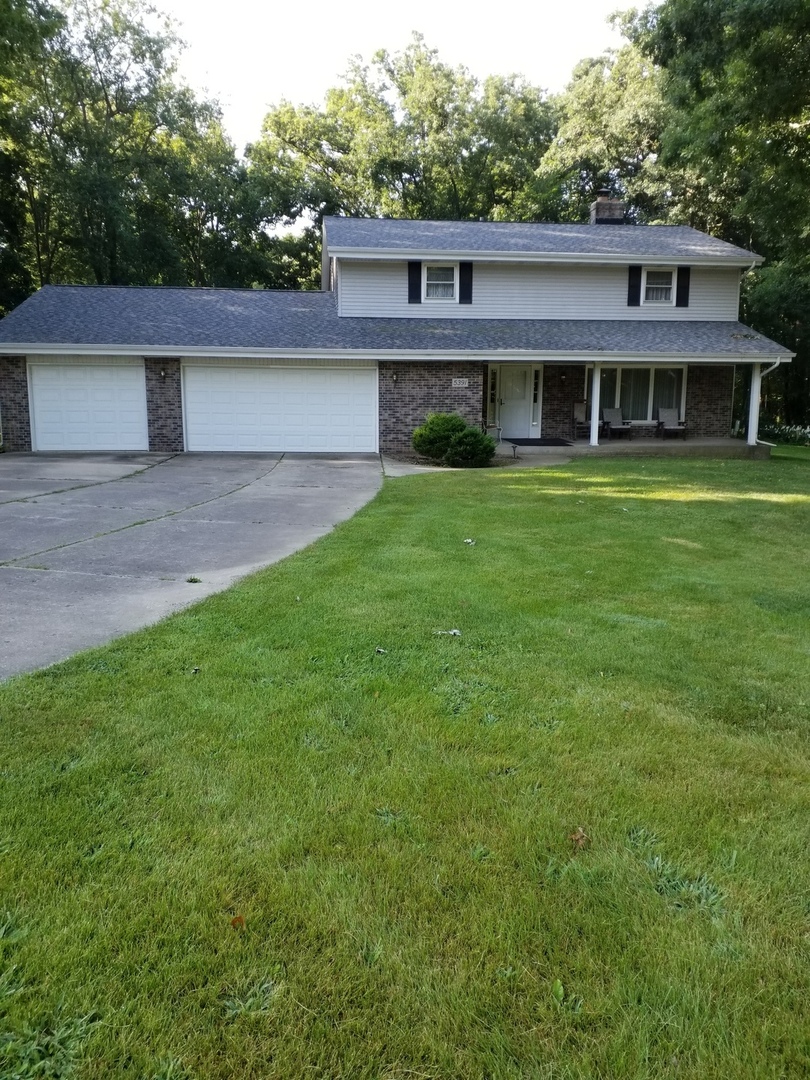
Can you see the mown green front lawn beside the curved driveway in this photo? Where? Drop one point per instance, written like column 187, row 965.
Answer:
column 298, row 832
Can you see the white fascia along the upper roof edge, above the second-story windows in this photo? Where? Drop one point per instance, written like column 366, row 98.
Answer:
column 388, row 254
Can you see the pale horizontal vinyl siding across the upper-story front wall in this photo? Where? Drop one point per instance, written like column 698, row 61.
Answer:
column 523, row 291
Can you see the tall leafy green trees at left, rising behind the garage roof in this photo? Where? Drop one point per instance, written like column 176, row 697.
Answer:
column 111, row 171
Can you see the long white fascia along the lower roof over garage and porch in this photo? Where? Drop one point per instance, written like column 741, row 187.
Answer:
column 492, row 356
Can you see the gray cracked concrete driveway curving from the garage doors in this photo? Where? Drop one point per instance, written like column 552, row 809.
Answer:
column 93, row 546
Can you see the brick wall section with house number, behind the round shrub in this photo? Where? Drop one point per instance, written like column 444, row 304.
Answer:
column 423, row 388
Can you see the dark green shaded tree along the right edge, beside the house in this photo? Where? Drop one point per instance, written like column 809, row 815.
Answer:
column 738, row 83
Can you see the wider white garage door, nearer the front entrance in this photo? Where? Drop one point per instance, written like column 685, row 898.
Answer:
column 280, row 409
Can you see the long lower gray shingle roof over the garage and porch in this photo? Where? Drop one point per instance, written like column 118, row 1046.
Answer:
column 200, row 319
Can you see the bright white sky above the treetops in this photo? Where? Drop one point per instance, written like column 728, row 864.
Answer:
column 251, row 55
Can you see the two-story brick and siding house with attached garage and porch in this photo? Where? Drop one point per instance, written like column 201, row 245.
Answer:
column 512, row 326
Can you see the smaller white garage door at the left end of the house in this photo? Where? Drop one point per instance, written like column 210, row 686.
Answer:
column 89, row 407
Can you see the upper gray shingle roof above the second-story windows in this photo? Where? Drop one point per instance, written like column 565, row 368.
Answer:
column 633, row 241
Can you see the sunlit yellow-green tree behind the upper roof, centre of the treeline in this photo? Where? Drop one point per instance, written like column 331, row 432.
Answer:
column 408, row 137
